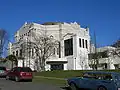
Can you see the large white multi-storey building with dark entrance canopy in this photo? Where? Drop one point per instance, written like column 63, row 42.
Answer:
column 74, row 41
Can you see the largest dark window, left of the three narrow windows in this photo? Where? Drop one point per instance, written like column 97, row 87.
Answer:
column 68, row 45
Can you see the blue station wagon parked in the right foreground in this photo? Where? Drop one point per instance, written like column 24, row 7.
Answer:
column 96, row 80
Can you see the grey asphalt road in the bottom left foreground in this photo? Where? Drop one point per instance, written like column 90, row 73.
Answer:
column 12, row 85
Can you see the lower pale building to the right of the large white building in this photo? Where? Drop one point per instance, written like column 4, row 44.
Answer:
column 107, row 59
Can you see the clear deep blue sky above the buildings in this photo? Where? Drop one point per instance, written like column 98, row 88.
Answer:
column 102, row 16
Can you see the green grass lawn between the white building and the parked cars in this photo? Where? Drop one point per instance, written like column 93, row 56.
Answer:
column 58, row 77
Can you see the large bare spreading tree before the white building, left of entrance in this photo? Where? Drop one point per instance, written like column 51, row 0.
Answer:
column 43, row 46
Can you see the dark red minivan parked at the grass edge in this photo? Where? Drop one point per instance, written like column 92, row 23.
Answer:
column 20, row 73
